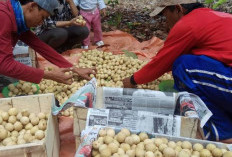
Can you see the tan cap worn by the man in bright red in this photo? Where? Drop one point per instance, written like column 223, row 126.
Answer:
column 161, row 4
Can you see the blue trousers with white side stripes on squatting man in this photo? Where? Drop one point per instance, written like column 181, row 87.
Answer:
column 211, row 80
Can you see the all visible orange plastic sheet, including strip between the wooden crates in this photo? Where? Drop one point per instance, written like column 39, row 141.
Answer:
column 116, row 42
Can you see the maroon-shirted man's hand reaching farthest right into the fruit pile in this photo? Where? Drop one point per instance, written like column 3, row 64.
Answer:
column 85, row 72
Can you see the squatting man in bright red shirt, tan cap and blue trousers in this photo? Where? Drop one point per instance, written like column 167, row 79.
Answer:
column 198, row 50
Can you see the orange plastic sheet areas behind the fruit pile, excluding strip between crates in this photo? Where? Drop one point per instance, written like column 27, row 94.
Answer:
column 116, row 42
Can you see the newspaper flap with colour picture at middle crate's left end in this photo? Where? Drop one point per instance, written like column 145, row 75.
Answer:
column 84, row 97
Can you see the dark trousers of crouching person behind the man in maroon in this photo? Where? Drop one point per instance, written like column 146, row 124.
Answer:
column 62, row 39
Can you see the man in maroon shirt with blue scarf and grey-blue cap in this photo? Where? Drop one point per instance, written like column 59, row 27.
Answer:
column 17, row 17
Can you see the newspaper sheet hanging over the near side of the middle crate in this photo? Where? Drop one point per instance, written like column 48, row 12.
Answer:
column 135, row 121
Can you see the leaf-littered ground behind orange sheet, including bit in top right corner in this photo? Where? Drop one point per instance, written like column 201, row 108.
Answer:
column 134, row 18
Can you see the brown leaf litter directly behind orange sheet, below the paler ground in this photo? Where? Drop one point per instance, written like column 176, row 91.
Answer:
column 137, row 23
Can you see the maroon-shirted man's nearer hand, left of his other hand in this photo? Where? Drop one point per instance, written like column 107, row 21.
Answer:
column 58, row 75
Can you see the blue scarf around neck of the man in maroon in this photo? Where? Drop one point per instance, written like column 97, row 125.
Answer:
column 18, row 11
